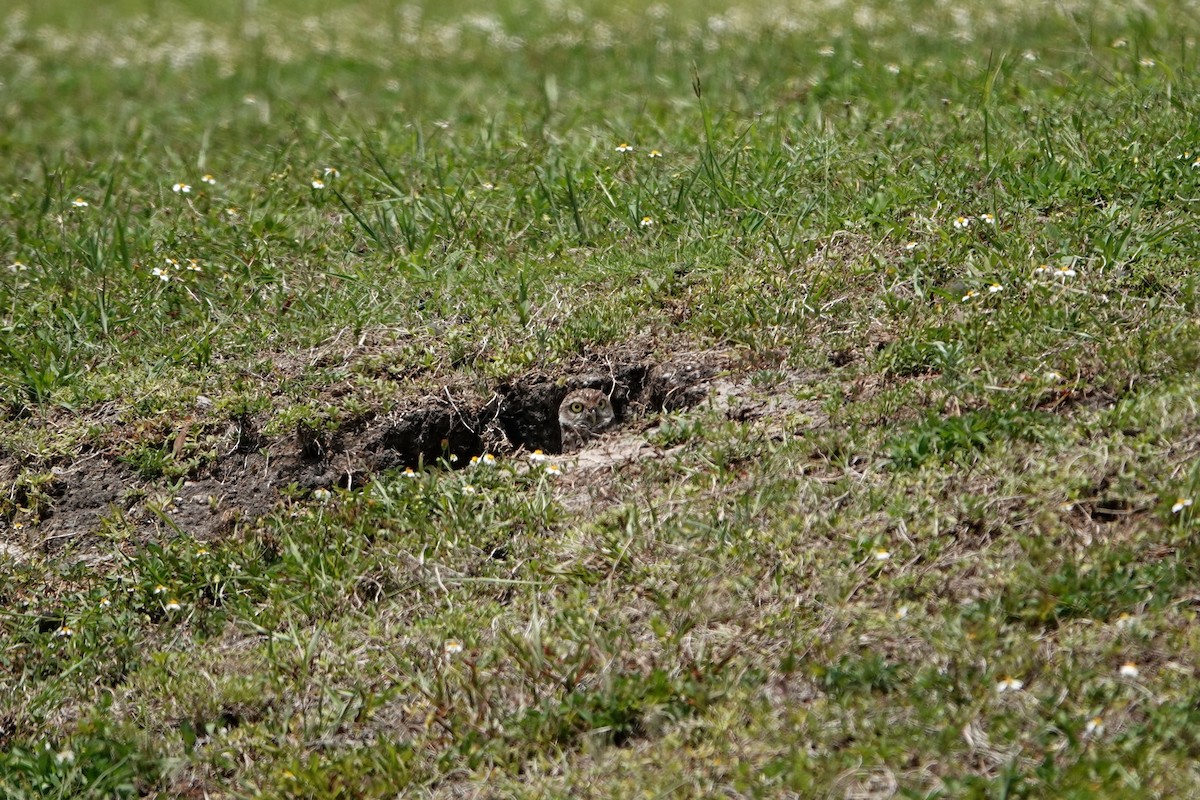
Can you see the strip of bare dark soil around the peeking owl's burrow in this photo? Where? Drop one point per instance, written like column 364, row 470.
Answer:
column 245, row 483
